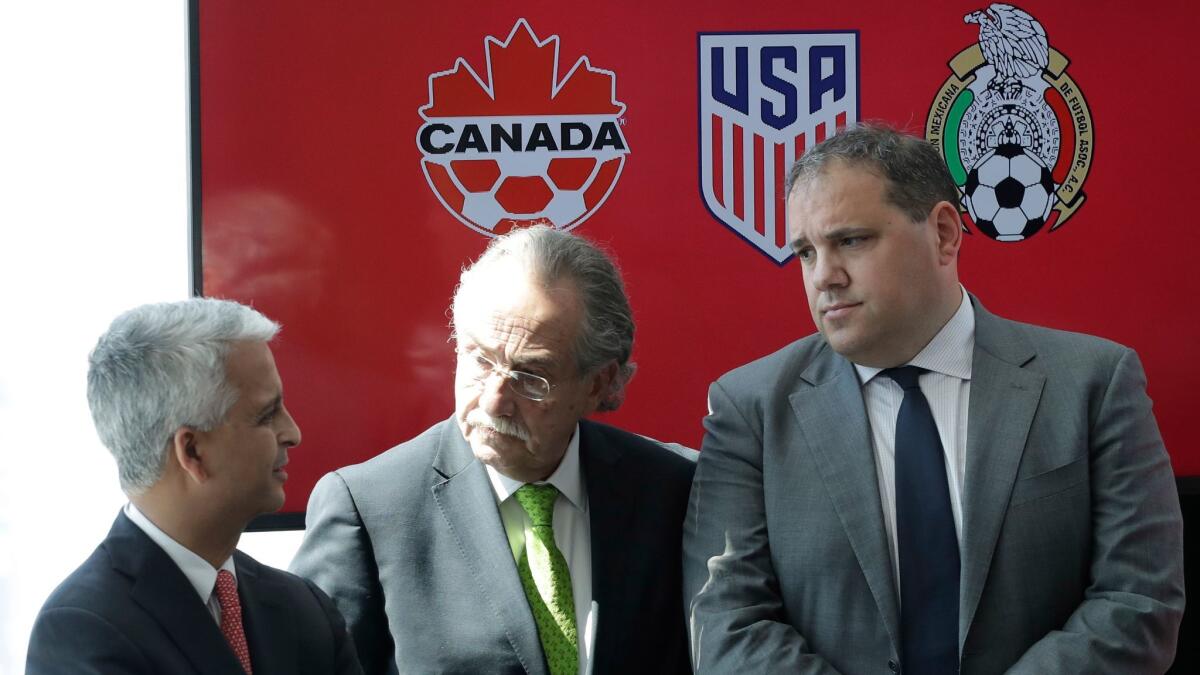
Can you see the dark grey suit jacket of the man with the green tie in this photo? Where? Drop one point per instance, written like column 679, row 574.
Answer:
column 412, row 549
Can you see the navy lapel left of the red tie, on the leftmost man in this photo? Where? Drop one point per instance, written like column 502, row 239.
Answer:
column 163, row 590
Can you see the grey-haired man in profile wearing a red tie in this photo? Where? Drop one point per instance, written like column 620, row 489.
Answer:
column 188, row 399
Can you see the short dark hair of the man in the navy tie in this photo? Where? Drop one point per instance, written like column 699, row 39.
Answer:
column 917, row 176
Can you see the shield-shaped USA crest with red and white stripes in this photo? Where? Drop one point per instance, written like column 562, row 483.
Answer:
column 765, row 98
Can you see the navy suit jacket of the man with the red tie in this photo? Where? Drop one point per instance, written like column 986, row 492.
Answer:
column 130, row 610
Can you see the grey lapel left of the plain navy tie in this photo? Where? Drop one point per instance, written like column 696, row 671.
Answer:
column 830, row 409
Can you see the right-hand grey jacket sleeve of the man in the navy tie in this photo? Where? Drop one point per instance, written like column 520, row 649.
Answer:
column 1130, row 618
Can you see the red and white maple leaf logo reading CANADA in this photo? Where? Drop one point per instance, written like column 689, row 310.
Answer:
column 523, row 147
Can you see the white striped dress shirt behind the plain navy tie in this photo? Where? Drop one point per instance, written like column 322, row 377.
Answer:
column 947, row 387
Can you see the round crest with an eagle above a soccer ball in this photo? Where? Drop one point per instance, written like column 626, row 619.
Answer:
column 1015, row 128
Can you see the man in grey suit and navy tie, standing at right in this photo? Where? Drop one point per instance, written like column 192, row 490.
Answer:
column 922, row 486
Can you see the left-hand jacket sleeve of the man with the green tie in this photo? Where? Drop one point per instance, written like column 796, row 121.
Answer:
column 338, row 555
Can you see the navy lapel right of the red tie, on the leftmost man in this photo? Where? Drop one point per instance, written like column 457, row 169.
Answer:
column 271, row 631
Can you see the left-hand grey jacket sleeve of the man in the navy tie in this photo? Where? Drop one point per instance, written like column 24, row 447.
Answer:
column 731, row 594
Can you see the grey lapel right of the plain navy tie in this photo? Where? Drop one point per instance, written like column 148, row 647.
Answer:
column 1004, row 399
